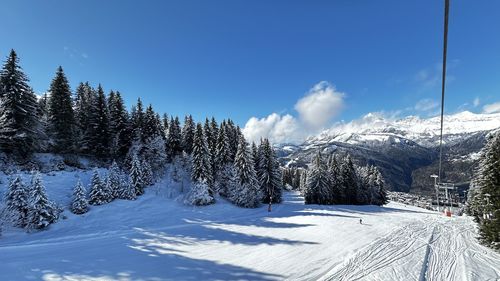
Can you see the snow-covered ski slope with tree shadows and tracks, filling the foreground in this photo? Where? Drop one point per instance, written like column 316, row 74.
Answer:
column 157, row 238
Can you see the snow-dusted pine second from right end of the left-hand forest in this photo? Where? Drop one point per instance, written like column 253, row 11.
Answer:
column 246, row 193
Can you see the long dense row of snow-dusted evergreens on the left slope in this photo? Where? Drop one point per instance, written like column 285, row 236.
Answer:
column 139, row 143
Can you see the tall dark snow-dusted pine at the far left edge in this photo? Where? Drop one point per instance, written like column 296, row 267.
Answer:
column 20, row 128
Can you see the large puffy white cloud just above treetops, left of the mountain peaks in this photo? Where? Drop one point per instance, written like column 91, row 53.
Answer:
column 315, row 112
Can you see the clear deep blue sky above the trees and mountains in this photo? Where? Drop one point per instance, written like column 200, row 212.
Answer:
column 243, row 59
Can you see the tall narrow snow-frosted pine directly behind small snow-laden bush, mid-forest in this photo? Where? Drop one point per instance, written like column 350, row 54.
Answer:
column 201, row 167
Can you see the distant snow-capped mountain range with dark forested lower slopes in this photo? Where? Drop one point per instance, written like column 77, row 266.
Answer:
column 405, row 150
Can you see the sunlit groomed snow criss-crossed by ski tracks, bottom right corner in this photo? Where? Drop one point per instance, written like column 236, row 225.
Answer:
column 442, row 244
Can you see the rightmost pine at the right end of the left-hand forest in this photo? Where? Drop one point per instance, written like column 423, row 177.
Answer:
column 269, row 175
